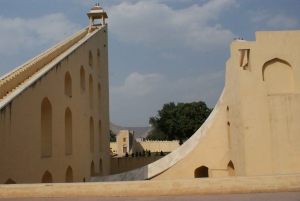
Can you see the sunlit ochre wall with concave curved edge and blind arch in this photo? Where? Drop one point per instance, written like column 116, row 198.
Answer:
column 256, row 131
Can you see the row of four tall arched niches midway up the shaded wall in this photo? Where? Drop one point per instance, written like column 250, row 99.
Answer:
column 46, row 130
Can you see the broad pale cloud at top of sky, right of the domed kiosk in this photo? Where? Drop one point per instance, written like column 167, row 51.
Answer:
column 155, row 24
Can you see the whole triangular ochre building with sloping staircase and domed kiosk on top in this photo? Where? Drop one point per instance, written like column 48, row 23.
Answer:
column 54, row 111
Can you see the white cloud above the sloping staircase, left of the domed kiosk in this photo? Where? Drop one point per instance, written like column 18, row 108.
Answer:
column 19, row 34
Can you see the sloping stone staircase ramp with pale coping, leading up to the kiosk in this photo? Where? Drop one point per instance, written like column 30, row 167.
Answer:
column 22, row 77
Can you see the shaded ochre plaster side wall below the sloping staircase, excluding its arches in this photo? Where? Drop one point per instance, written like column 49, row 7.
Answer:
column 20, row 121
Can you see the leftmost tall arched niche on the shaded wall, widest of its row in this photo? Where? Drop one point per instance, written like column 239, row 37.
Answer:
column 46, row 128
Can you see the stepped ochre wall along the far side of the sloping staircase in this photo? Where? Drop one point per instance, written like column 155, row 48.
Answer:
column 19, row 75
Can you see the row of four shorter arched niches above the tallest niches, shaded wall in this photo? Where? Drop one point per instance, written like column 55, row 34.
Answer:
column 68, row 87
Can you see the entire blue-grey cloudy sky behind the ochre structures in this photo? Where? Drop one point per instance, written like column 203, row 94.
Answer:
column 160, row 51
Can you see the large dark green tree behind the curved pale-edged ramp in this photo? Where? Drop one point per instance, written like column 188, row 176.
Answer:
column 178, row 122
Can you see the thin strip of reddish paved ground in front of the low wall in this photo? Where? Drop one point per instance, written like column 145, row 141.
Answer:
column 285, row 196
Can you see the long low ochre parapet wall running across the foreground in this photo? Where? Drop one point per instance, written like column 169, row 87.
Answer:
column 257, row 184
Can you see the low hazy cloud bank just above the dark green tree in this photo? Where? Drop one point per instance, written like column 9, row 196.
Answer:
column 142, row 95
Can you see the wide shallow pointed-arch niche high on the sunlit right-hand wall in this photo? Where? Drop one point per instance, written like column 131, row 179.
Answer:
column 278, row 75
